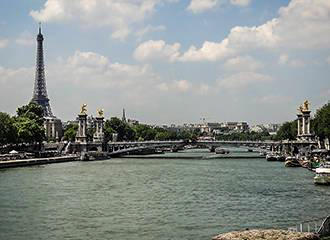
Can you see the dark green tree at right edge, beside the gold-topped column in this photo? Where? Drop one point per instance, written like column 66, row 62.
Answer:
column 321, row 122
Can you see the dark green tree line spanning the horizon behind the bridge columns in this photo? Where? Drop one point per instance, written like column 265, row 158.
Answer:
column 27, row 127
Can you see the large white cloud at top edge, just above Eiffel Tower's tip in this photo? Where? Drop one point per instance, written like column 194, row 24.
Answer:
column 120, row 15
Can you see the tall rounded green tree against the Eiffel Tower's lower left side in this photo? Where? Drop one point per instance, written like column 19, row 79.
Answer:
column 29, row 123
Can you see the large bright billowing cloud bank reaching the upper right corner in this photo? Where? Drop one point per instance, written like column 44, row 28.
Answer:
column 303, row 24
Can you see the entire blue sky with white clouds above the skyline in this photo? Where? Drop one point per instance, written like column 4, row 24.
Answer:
column 169, row 61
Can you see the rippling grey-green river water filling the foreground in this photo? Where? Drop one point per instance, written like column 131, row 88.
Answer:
column 155, row 198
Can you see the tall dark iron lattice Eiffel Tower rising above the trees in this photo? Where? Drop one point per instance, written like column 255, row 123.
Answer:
column 40, row 92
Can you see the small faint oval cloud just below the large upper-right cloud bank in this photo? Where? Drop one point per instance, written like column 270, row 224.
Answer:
column 242, row 63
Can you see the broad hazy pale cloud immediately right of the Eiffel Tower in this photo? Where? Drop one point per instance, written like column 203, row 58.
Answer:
column 94, row 70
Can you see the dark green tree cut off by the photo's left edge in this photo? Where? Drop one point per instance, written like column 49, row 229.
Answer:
column 8, row 133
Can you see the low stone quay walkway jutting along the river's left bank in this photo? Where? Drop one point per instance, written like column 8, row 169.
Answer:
column 38, row 161
